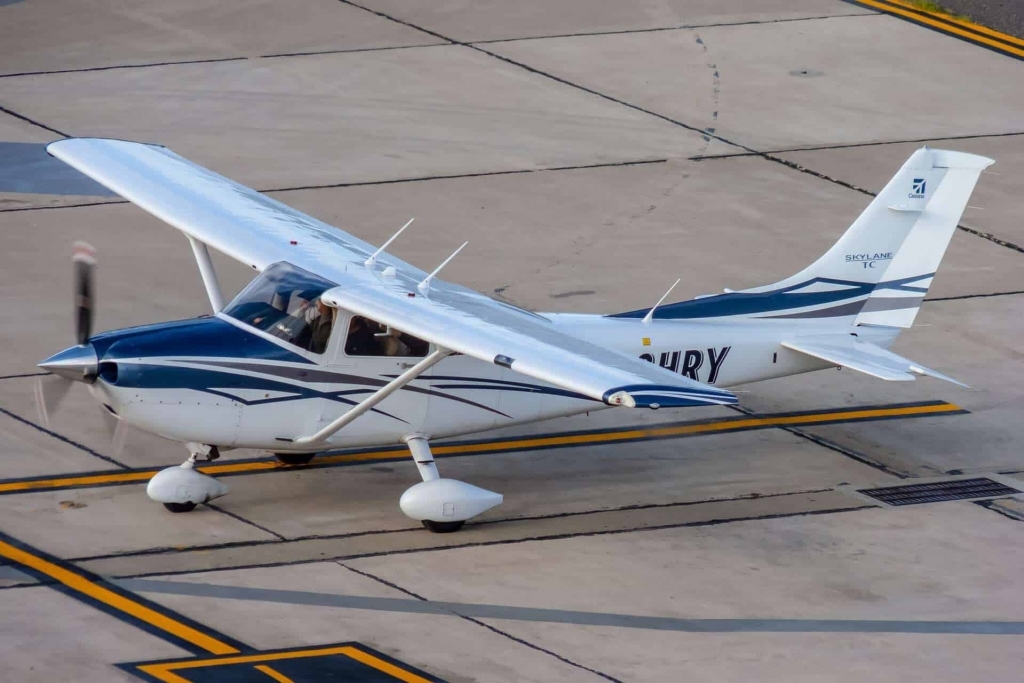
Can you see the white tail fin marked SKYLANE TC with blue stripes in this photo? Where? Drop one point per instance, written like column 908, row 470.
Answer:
column 880, row 270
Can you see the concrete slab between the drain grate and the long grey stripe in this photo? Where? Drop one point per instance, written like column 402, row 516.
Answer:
column 919, row 564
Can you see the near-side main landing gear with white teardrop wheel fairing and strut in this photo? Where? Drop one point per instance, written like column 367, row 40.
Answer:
column 442, row 505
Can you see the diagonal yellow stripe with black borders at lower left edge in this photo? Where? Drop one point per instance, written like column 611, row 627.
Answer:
column 82, row 585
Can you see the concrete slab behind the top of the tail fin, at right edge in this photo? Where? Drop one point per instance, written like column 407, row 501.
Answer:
column 997, row 198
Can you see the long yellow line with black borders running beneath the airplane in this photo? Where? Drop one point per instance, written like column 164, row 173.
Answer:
column 502, row 445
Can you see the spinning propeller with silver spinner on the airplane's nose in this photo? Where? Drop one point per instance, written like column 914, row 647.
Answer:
column 78, row 364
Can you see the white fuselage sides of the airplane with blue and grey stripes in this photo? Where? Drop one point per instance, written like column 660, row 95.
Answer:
column 266, row 404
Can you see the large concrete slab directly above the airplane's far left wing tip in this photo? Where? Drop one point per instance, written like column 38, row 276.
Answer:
column 322, row 120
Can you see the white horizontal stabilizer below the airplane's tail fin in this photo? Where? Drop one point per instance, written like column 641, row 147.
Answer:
column 848, row 352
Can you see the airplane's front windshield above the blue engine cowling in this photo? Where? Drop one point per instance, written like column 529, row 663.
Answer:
column 285, row 302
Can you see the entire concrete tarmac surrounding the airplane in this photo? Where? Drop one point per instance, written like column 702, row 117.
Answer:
column 591, row 153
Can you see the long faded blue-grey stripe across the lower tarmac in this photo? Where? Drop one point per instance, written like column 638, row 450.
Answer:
column 570, row 617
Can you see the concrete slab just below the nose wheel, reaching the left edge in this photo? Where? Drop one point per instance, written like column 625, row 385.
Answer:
column 97, row 522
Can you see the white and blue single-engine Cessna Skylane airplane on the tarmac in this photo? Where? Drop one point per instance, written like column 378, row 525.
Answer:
column 337, row 344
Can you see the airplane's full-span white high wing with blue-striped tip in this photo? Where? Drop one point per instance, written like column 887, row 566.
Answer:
column 260, row 231
